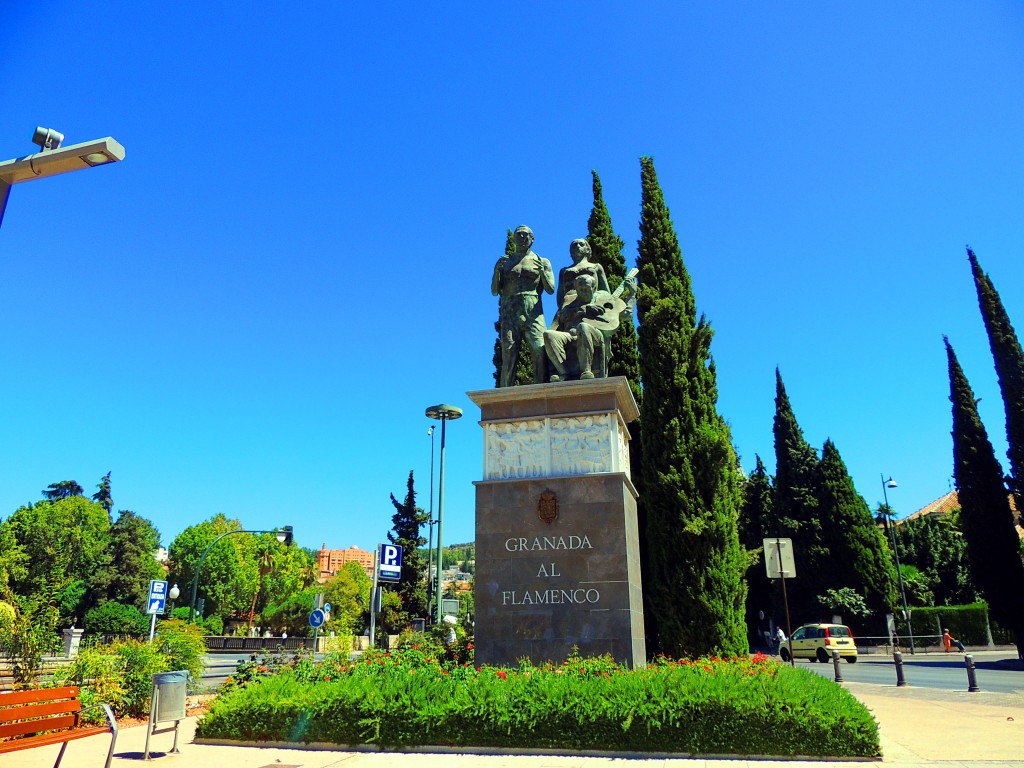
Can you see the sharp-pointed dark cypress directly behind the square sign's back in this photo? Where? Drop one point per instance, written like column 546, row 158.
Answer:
column 798, row 486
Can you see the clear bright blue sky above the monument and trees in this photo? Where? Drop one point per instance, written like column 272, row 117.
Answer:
column 252, row 312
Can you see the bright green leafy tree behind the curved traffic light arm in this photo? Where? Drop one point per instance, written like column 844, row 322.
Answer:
column 230, row 575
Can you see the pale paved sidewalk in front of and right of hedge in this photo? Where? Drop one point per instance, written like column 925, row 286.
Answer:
column 919, row 728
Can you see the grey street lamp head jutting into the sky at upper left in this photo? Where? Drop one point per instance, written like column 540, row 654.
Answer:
column 54, row 160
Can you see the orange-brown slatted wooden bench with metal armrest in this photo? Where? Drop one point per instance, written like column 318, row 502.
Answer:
column 53, row 716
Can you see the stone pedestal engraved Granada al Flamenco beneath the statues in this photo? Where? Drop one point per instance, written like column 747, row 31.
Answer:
column 558, row 553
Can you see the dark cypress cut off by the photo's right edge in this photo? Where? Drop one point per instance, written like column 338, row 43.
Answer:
column 1009, row 367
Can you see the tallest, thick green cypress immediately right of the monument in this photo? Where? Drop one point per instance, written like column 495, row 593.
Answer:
column 691, row 476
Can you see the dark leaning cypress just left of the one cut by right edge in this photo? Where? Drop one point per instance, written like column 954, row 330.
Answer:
column 993, row 544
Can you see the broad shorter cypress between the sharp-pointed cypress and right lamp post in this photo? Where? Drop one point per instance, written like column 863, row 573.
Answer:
column 859, row 556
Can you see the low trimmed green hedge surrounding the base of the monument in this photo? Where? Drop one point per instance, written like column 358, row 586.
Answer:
column 710, row 707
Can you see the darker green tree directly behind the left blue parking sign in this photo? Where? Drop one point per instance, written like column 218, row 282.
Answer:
column 129, row 565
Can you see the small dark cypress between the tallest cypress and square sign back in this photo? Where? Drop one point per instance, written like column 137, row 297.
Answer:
column 757, row 523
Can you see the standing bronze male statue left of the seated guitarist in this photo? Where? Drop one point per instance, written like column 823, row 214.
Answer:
column 519, row 280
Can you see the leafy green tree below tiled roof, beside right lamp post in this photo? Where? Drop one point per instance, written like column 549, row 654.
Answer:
column 935, row 545
